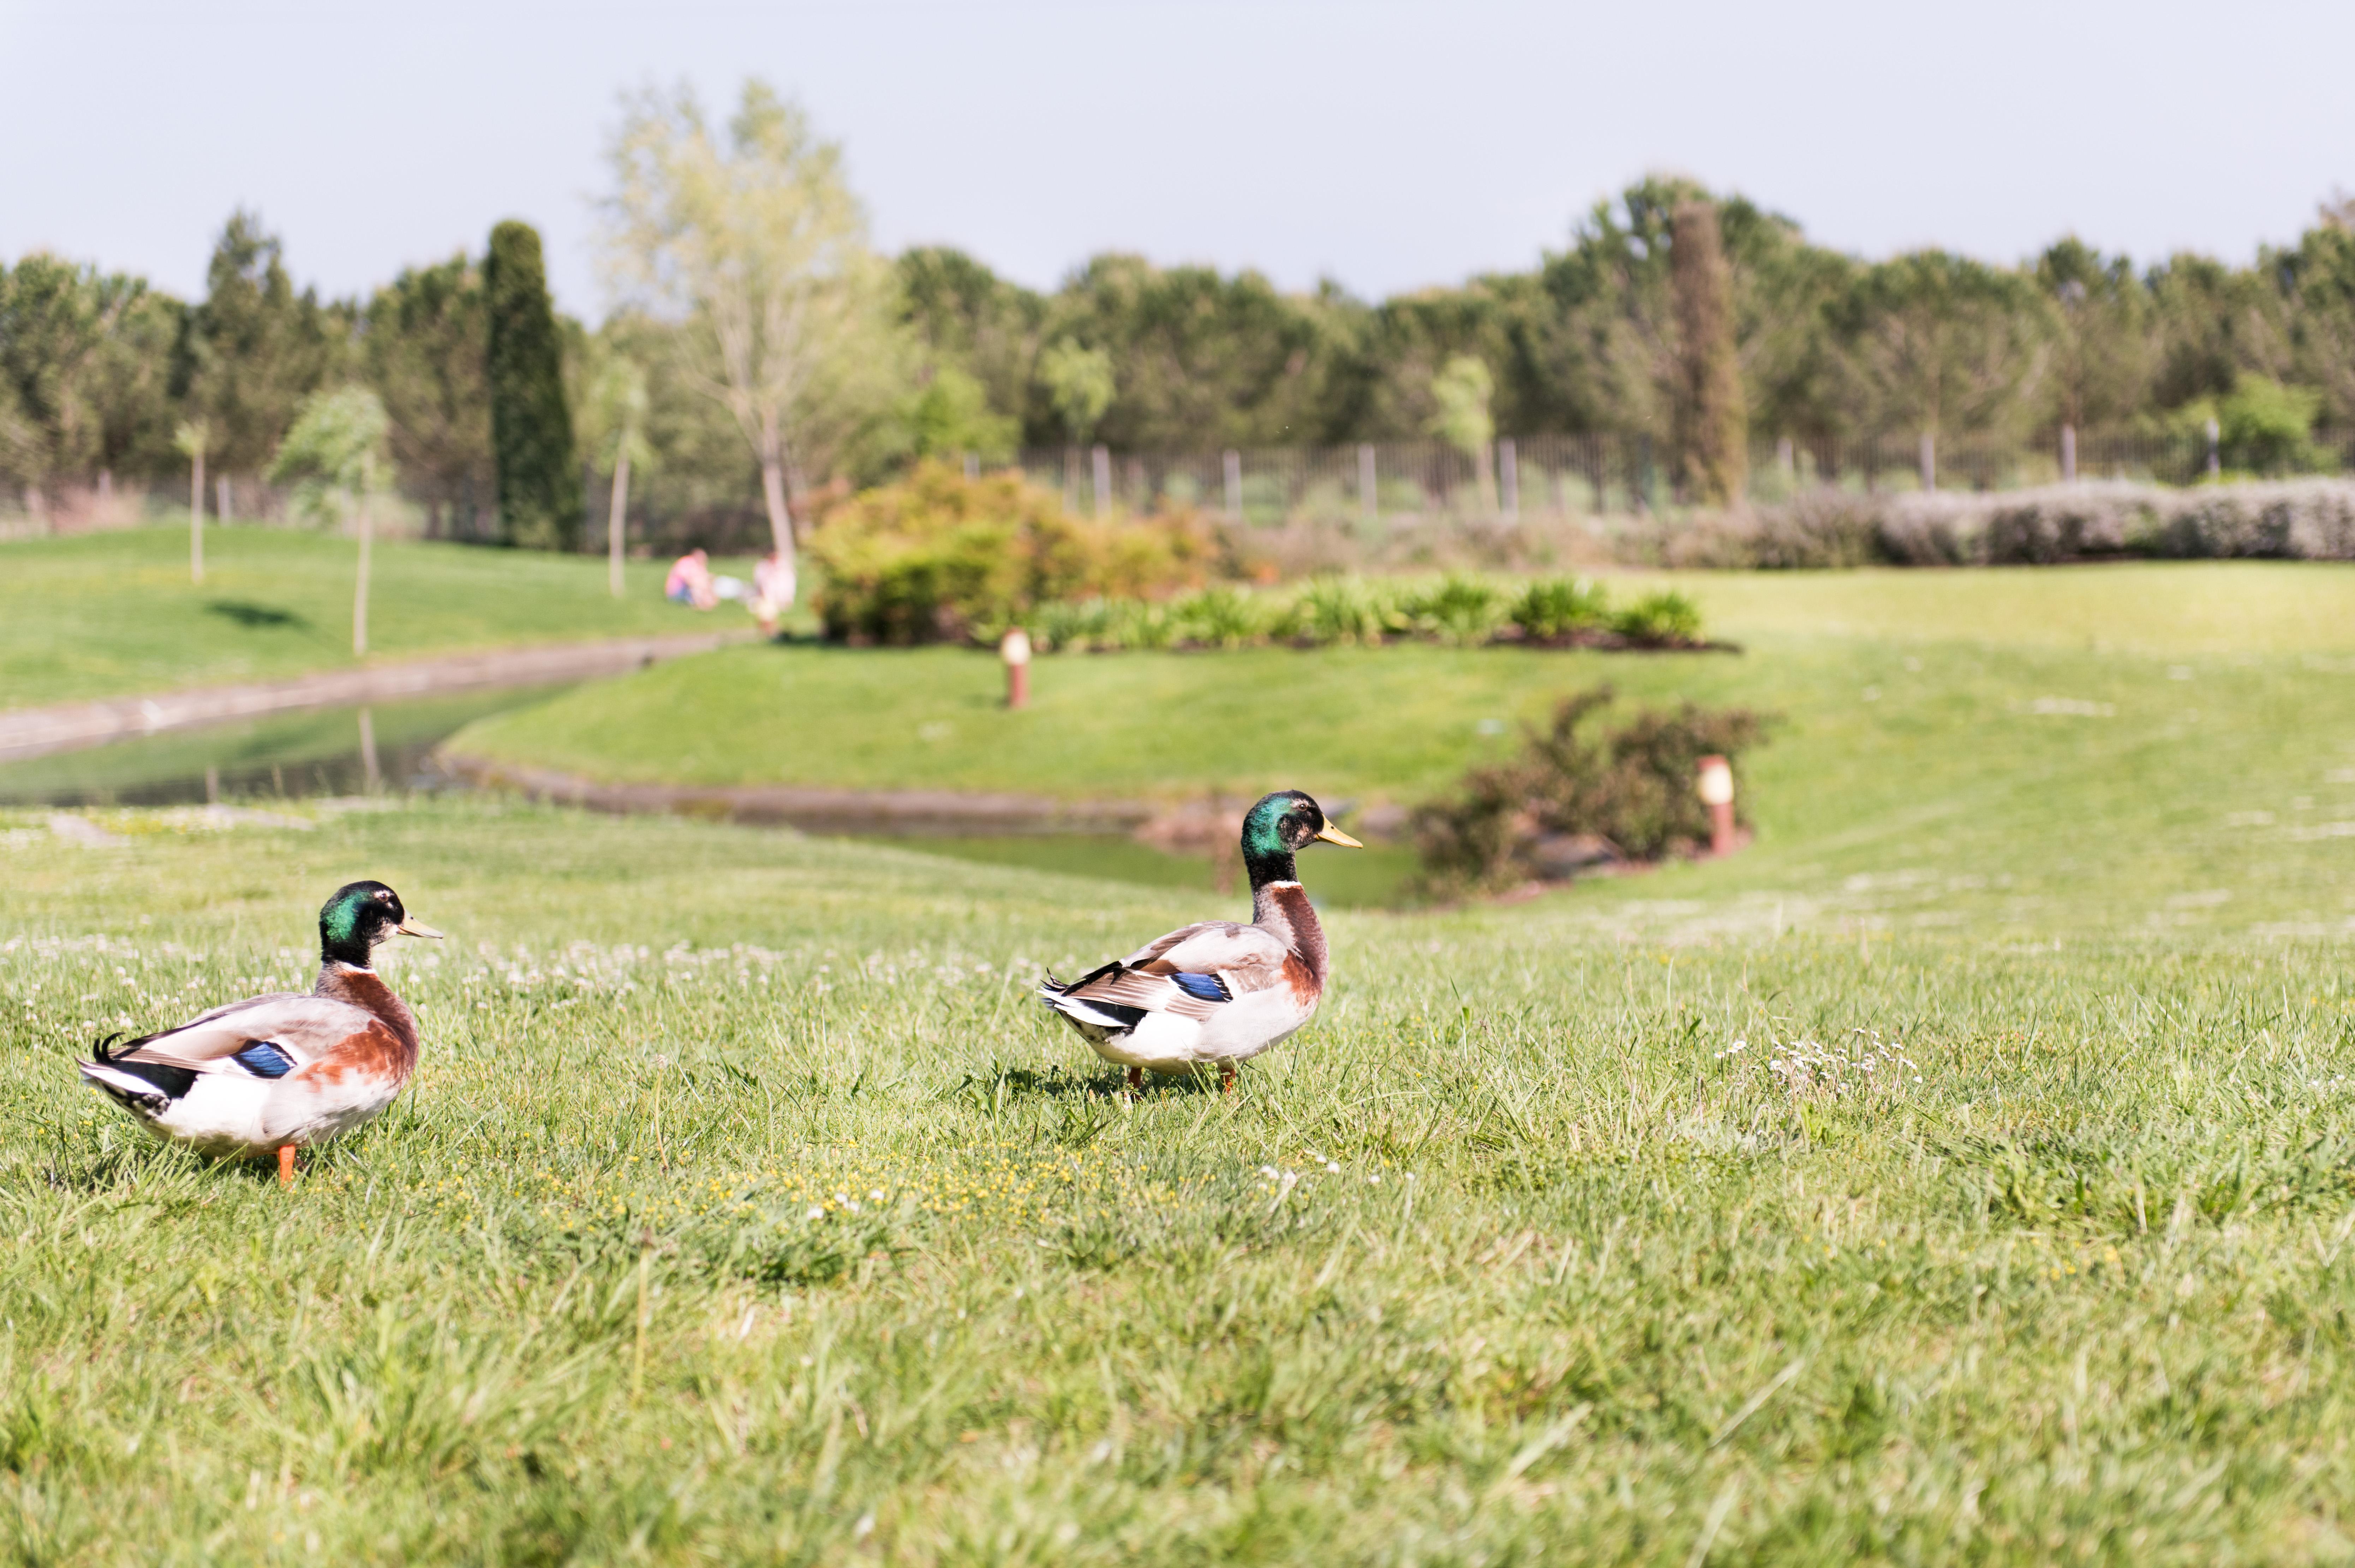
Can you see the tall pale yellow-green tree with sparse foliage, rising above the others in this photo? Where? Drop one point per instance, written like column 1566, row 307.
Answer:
column 757, row 244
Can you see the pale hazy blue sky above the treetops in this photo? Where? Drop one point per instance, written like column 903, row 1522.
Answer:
column 1386, row 147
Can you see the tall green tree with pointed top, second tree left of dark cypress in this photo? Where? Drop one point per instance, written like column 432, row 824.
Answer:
column 256, row 347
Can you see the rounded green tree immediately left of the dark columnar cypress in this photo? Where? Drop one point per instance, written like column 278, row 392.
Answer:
column 427, row 354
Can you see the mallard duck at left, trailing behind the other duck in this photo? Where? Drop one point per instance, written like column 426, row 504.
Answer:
column 286, row 1070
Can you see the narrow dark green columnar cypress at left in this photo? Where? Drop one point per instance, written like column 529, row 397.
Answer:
column 531, row 430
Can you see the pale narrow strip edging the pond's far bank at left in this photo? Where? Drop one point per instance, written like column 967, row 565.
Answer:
column 93, row 724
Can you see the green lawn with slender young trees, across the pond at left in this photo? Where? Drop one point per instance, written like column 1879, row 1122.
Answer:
column 107, row 616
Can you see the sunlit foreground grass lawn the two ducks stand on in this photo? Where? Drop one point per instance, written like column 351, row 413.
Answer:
column 1965, row 1174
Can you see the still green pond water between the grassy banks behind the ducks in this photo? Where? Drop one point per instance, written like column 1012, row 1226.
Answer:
column 338, row 752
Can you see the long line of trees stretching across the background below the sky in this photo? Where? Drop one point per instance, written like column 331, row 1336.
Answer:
column 762, row 350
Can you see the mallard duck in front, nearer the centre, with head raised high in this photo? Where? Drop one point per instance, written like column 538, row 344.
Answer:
column 1216, row 992
